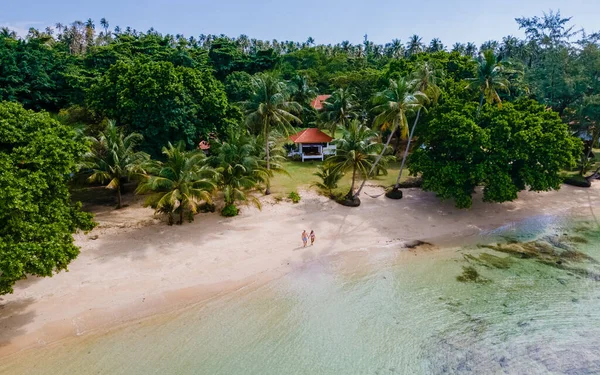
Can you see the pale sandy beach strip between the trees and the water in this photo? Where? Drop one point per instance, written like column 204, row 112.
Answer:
column 132, row 266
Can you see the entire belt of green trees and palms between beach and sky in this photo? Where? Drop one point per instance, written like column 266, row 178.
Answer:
column 499, row 116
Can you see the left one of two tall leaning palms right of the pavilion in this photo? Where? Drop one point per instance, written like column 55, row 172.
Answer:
column 393, row 105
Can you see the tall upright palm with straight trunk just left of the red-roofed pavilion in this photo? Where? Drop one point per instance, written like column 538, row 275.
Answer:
column 268, row 109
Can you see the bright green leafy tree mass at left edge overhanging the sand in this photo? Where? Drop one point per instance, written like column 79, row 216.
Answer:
column 37, row 218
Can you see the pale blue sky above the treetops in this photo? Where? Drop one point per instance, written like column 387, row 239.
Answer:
column 327, row 21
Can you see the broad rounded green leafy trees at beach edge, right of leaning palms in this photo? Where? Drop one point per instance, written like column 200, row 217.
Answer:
column 505, row 150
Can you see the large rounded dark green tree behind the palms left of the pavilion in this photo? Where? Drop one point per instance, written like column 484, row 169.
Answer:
column 162, row 102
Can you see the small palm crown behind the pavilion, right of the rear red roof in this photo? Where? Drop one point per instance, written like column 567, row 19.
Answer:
column 339, row 109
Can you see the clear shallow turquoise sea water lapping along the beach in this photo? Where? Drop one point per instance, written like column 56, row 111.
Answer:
column 381, row 312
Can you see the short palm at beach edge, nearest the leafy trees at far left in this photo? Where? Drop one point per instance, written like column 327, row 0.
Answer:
column 113, row 158
